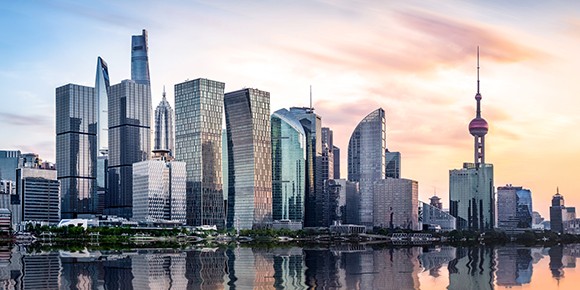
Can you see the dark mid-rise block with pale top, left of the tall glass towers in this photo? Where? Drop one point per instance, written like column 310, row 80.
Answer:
column 38, row 198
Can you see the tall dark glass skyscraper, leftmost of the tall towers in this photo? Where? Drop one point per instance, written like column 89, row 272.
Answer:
column 76, row 150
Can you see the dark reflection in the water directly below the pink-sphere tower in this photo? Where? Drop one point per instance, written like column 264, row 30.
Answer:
column 473, row 268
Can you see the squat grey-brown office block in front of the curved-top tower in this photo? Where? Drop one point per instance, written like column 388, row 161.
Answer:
column 396, row 203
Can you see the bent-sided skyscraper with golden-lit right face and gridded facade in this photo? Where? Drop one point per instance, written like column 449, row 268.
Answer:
column 249, row 158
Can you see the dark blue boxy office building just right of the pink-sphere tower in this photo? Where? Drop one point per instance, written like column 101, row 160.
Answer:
column 514, row 207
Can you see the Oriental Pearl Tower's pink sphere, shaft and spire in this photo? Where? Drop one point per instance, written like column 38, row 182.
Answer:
column 478, row 127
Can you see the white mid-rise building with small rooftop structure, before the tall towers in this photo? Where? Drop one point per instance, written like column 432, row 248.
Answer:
column 159, row 190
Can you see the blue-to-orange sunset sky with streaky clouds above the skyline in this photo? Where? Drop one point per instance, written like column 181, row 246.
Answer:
column 415, row 60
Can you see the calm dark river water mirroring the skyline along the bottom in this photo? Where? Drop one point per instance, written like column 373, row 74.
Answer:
column 333, row 267
